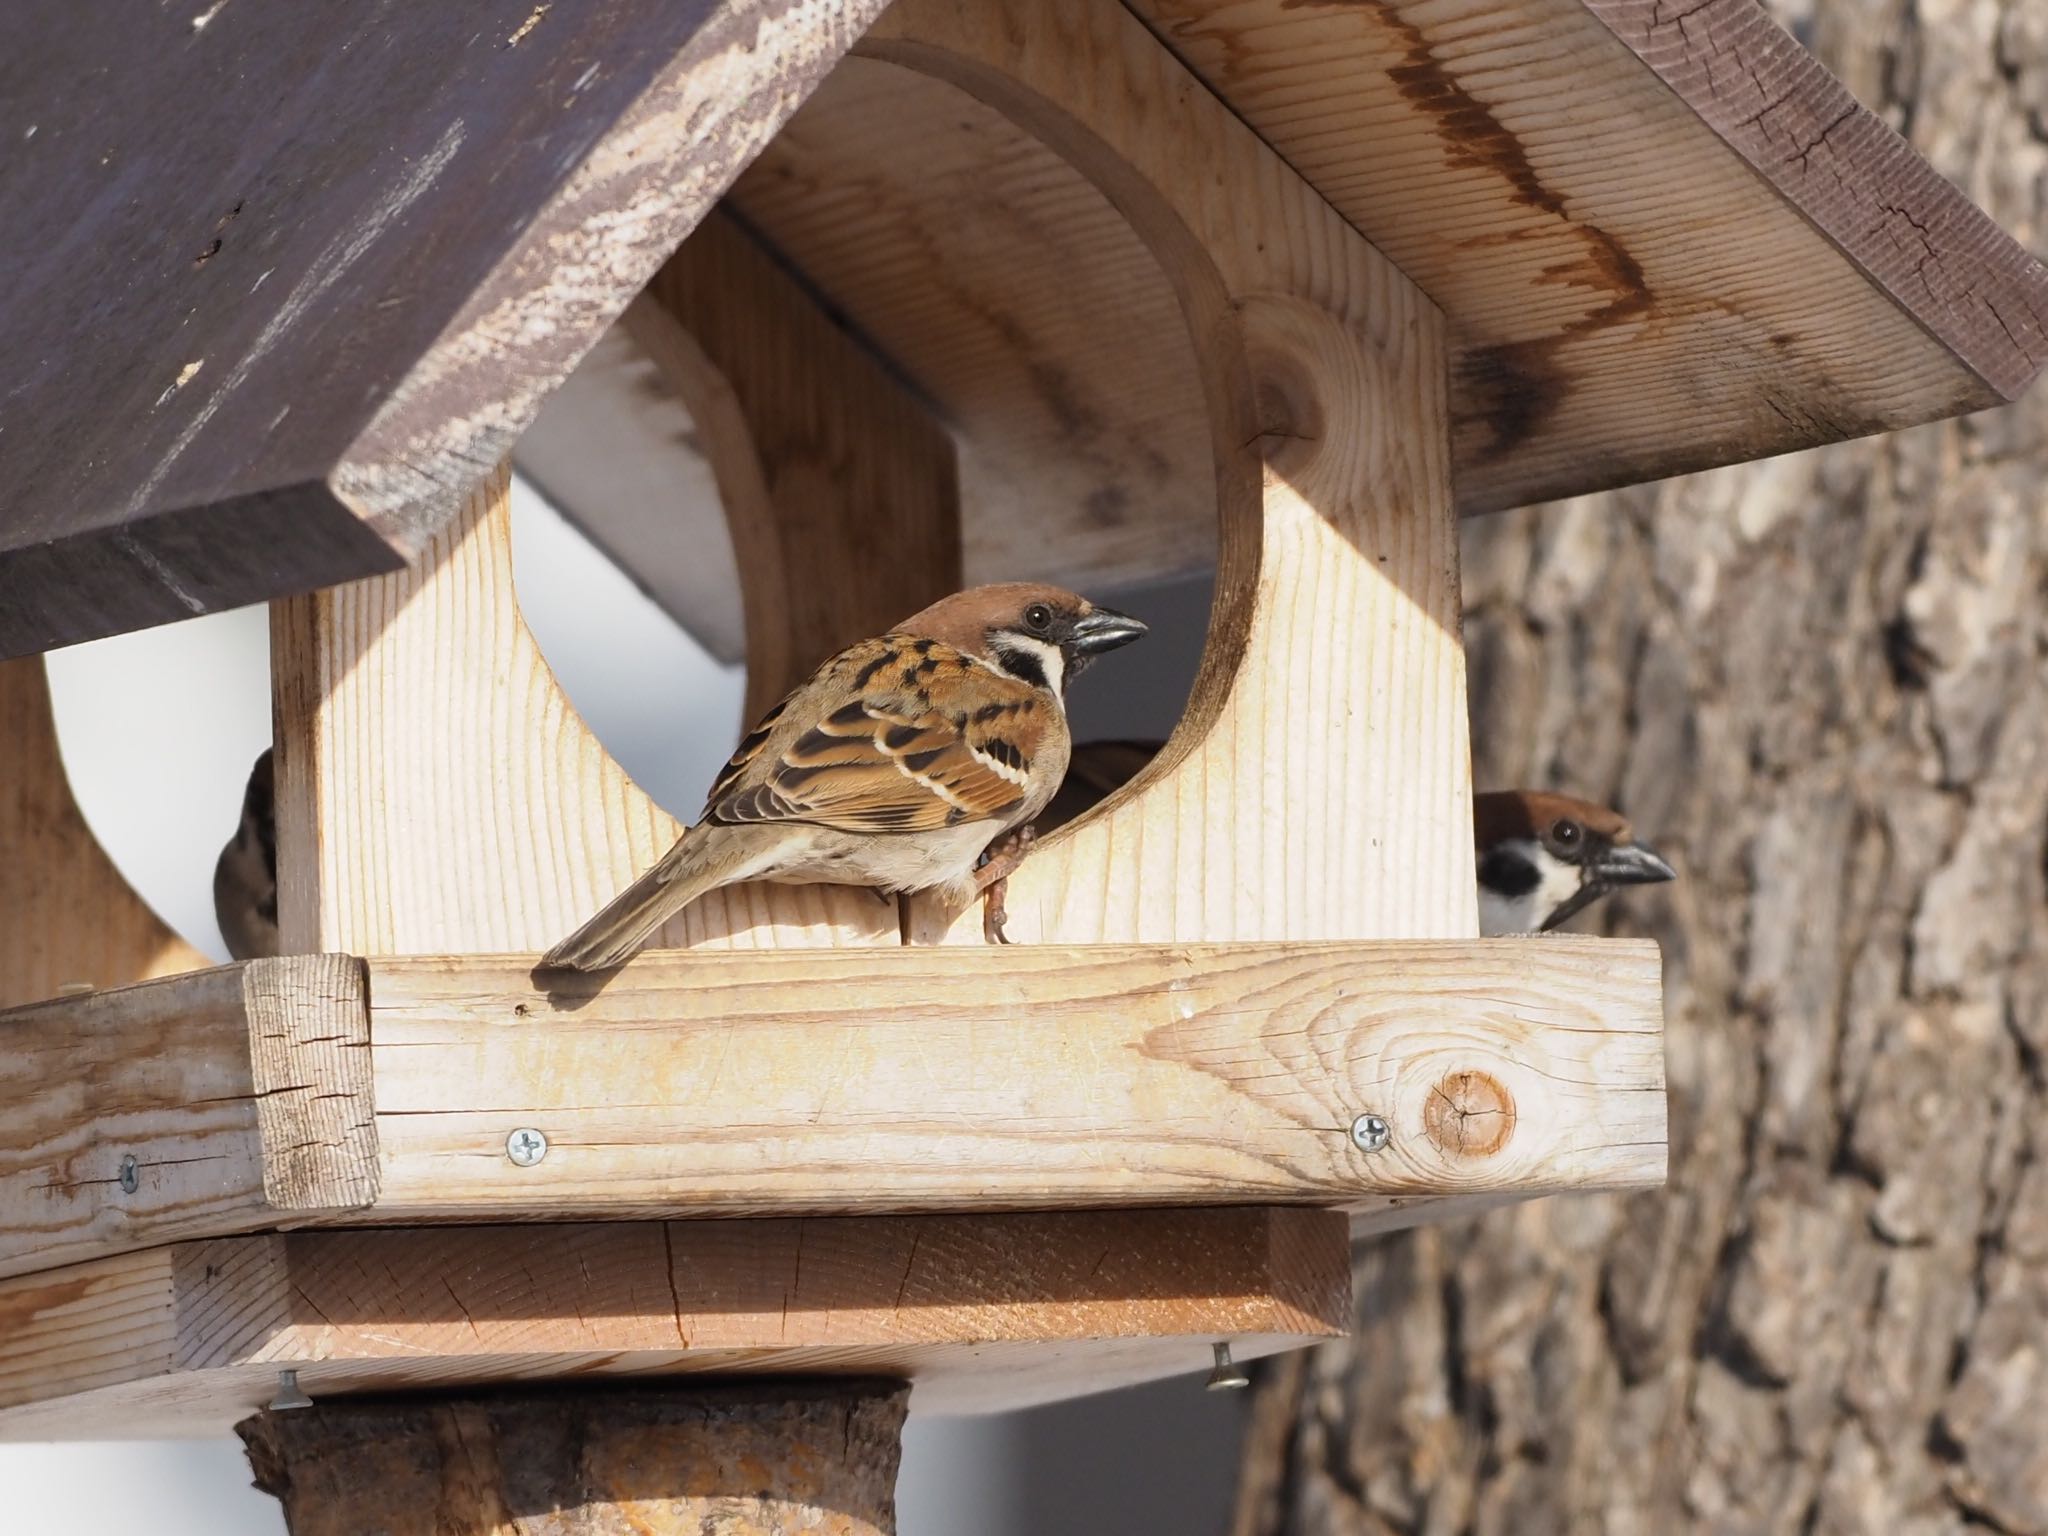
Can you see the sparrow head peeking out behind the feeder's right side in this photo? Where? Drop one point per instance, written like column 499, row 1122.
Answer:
column 1547, row 857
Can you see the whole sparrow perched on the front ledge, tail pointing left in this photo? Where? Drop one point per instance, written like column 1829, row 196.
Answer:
column 896, row 765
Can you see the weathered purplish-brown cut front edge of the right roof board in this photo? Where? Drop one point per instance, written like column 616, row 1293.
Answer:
column 1940, row 257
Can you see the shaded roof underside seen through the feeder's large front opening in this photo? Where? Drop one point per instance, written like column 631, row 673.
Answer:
column 1019, row 300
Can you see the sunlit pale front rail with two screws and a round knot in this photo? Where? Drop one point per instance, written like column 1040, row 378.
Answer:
column 1025, row 1076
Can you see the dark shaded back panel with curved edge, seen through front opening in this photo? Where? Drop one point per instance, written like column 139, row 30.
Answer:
column 841, row 490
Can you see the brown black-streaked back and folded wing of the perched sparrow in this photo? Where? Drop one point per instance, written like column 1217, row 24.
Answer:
column 910, row 736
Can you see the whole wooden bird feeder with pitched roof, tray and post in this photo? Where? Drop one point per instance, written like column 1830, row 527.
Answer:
column 951, row 292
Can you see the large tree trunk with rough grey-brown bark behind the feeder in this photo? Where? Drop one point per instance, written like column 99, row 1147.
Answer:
column 1820, row 685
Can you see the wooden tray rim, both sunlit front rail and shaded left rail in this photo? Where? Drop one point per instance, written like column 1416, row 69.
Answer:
column 325, row 1091
